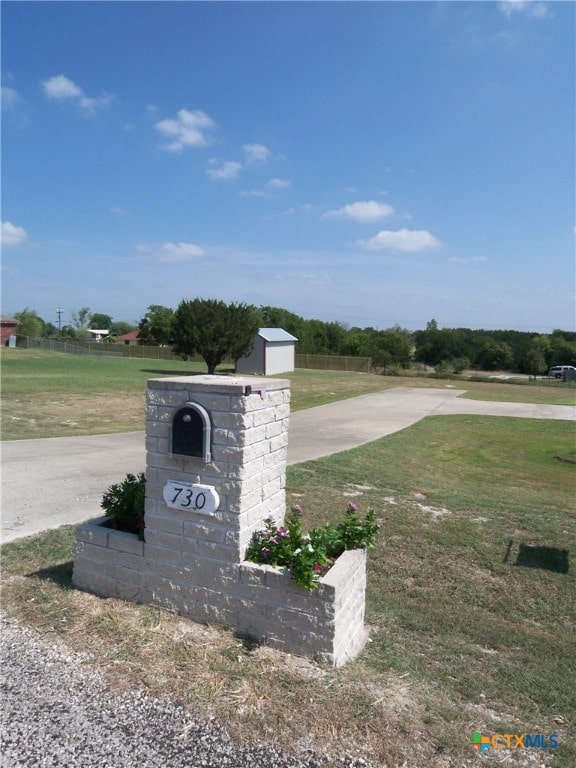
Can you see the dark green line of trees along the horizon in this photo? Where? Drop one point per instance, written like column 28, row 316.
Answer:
column 217, row 330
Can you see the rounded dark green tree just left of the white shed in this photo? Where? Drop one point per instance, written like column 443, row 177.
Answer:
column 215, row 330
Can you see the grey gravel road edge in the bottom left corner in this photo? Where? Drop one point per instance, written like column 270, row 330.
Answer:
column 57, row 710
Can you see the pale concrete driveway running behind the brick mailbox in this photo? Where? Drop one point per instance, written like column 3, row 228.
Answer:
column 57, row 481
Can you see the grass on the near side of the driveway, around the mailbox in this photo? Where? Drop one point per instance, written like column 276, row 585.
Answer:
column 471, row 605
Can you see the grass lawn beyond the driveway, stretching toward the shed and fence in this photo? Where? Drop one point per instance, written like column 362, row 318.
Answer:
column 52, row 394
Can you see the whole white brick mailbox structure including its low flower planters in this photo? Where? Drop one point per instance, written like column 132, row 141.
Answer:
column 215, row 470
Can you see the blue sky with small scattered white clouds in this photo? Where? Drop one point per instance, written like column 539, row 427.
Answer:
column 375, row 163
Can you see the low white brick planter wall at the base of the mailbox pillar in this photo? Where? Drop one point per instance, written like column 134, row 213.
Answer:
column 259, row 601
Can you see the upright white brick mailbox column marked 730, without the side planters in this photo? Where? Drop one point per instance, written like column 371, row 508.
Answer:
column 243, row 462
